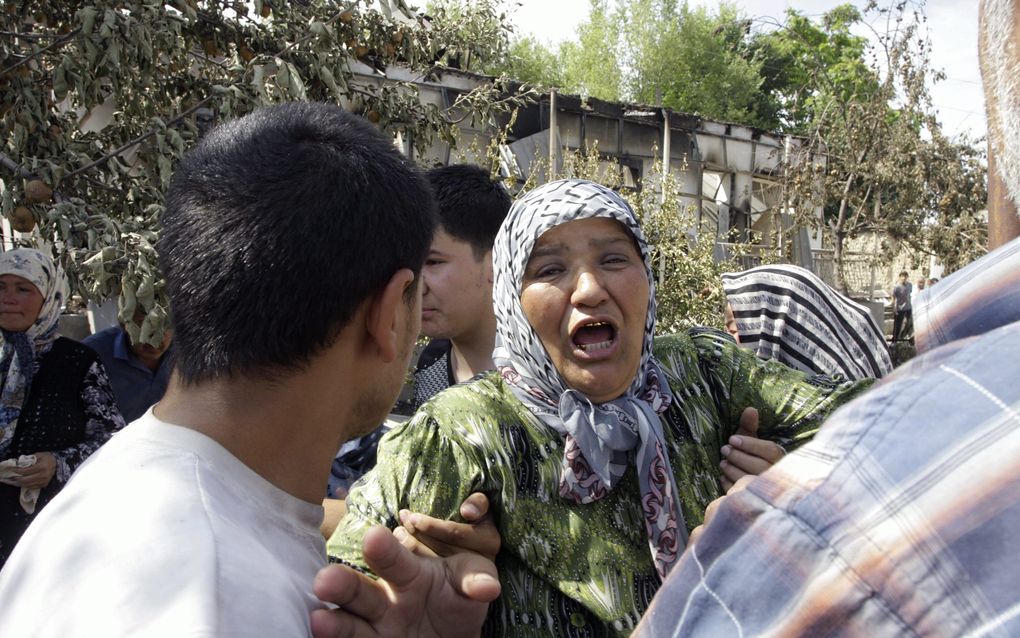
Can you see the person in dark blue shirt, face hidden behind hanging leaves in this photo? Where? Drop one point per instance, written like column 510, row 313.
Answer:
column 138, row 371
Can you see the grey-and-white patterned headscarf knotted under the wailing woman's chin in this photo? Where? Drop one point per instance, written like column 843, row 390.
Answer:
column 600, row 440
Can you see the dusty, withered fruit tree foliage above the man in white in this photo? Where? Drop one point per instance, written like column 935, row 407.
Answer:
column 171, row 70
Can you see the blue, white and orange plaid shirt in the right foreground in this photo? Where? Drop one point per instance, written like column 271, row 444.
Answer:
column 900, row 518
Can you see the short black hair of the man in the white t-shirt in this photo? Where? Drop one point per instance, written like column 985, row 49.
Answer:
column 278, row 227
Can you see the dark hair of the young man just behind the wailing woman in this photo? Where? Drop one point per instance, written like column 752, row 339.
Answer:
column 472, row 207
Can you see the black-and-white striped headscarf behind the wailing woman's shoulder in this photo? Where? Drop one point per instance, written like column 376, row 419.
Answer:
column 788, row 314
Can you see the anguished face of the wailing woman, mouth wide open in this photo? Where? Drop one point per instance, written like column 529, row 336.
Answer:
column 586, row 293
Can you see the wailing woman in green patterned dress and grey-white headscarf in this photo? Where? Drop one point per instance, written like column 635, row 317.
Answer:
column 597, row 445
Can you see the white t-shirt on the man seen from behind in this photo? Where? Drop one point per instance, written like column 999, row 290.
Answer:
column 164, row 532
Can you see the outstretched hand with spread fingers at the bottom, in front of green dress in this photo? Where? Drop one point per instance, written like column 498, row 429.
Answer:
column 415, row 596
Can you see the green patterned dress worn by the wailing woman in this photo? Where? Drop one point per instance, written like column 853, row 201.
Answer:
column 572, row 570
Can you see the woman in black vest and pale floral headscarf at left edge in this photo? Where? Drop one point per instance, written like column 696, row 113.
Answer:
column 57, row 405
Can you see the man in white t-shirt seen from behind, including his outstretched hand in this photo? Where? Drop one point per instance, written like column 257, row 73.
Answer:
column 296, row 305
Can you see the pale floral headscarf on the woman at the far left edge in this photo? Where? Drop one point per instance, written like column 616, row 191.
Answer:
column 21, row 351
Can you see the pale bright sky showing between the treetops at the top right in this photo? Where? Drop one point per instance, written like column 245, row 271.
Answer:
column 953, row 27
